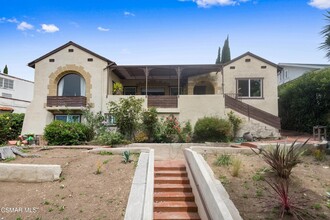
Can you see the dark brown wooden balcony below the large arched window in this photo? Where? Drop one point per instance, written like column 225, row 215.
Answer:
column 68, row 101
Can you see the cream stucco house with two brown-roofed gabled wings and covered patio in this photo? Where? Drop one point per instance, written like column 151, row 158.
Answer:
column 71, row 76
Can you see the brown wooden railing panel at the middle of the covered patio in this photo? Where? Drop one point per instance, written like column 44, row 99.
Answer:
column 162, row 101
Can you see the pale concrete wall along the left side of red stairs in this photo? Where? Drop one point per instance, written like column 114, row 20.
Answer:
column 140, row 201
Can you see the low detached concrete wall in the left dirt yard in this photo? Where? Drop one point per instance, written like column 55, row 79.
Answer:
column 29, row 172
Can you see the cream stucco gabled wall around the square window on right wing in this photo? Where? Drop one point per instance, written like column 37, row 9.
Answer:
column 252, row 69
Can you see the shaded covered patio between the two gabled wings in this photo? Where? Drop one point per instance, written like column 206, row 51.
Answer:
column 162, row 84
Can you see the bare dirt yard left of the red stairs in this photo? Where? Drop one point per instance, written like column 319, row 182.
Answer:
column 80, row 194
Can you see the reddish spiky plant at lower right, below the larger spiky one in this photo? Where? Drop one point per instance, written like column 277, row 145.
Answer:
column 287, row 203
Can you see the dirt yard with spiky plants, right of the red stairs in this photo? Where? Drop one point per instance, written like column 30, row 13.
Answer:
column 253, row 197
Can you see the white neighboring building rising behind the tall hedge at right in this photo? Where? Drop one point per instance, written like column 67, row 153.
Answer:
column 291, row 71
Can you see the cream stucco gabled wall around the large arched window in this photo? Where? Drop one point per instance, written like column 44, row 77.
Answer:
column 37, row 116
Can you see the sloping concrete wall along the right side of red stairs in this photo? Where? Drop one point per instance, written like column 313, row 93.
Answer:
column 213, row 201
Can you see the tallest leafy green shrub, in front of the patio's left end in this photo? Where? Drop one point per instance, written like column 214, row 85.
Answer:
column 127, row 114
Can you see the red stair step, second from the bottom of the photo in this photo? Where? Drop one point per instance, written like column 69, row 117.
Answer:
column 175, row 206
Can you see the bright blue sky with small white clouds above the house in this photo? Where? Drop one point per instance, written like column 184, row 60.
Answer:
column 161, row 31
